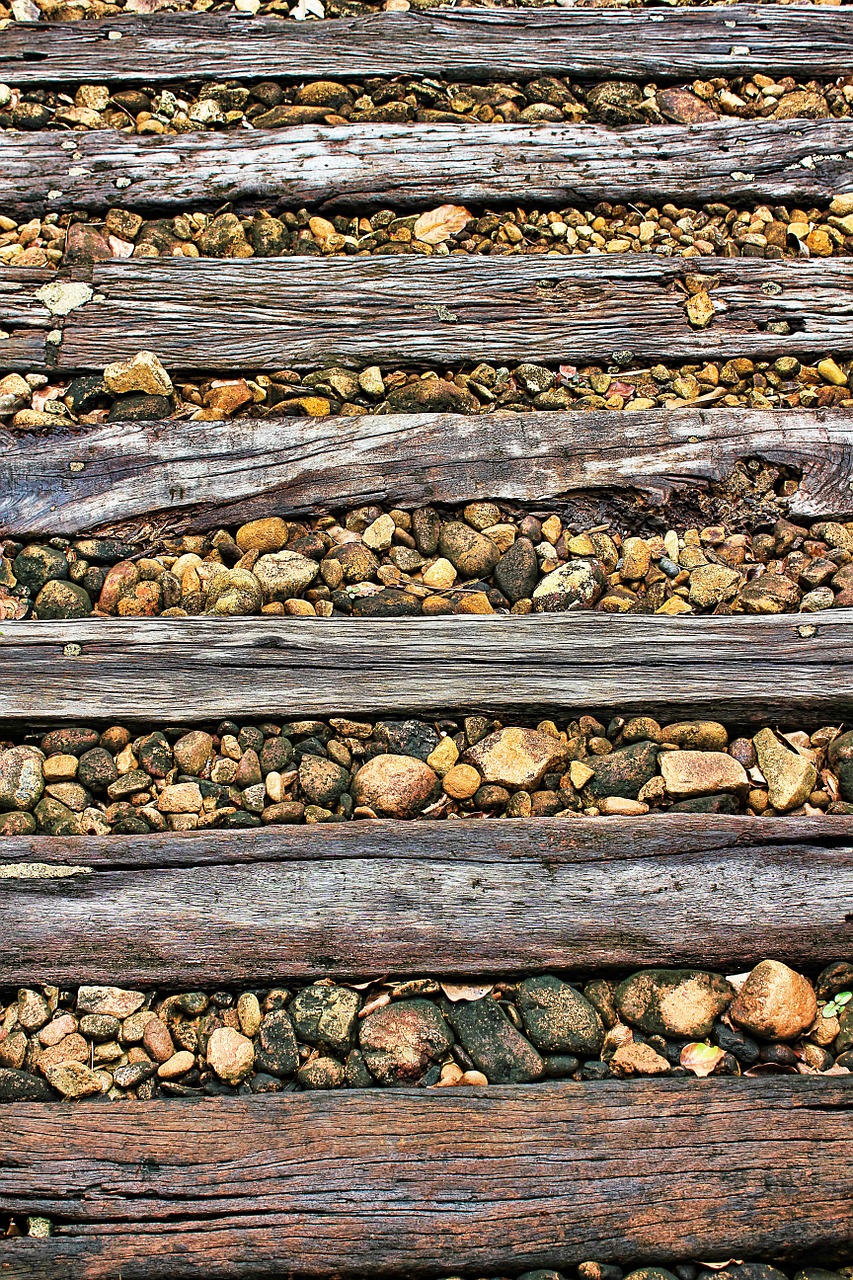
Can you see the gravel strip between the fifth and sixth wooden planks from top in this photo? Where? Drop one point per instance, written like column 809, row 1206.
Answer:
column 77, row 781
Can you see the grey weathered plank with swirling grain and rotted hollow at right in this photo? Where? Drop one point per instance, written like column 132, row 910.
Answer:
column 175, row 470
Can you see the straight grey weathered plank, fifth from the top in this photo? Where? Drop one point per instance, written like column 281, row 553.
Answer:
column 741, row 669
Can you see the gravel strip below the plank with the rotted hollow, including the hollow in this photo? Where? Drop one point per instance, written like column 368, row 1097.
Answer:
column 487, row 557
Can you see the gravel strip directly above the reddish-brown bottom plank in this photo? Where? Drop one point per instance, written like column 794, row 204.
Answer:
column 95, row 1041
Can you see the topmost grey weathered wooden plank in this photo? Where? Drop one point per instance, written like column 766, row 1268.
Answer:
column 468, row 44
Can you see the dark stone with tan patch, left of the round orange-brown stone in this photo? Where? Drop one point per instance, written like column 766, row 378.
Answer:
column 674, row 1002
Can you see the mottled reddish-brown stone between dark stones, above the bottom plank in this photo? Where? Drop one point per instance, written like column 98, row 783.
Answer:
column 402, row 1040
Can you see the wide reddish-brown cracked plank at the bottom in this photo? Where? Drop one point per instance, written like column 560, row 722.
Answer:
column 412, row 1183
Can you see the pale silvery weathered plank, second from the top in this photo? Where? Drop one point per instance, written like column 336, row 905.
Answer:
column 419, row 166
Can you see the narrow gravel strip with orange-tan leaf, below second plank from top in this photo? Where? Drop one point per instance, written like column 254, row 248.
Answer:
column 715, row 231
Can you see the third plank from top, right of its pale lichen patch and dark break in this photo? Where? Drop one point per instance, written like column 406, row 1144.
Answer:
column 261, row 314
